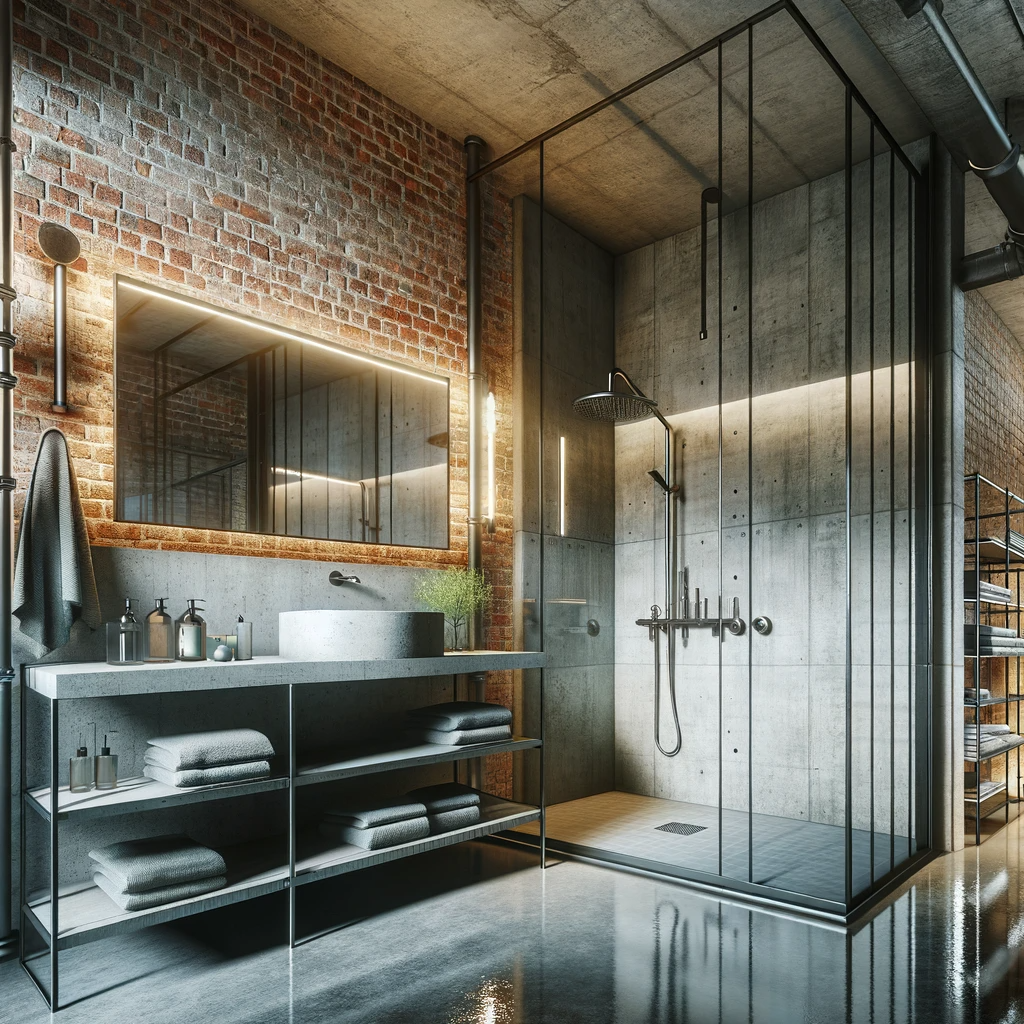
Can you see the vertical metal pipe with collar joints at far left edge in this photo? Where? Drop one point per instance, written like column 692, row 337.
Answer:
column 8, row 382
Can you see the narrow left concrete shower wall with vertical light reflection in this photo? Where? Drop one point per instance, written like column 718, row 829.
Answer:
column 577, row 566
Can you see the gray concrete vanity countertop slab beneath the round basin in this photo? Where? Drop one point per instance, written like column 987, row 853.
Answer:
column 98, row 679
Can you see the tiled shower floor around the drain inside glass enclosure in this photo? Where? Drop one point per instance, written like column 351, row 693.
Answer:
column 800, row 857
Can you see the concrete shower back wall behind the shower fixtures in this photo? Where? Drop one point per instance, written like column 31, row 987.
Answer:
column 791, row 687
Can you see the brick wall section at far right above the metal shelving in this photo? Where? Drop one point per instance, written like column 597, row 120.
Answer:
column 994, row 444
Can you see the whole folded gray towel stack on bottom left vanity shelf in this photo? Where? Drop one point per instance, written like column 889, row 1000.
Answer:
column 148, row 873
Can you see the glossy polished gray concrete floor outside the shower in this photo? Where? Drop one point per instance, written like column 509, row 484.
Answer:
column 478, row 935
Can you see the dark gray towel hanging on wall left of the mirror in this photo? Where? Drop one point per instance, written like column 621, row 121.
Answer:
column 55, row 584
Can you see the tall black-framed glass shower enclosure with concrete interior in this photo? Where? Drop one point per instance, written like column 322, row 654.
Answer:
column 723, row 549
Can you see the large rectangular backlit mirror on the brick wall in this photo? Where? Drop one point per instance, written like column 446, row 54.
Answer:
column 224, row 422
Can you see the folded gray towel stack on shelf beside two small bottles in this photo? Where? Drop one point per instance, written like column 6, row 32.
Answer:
column 208, row 758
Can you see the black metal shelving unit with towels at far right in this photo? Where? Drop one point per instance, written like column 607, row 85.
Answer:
column 993, row 550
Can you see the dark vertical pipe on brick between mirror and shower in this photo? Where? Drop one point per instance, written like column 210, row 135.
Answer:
column 478, row 378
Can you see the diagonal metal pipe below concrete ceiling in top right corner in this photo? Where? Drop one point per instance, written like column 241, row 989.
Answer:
column 997, row 159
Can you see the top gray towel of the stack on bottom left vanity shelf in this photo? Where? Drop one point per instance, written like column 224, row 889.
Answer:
column 142, row 865
